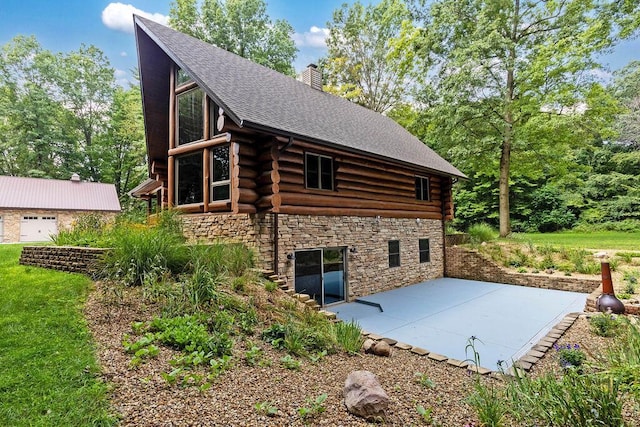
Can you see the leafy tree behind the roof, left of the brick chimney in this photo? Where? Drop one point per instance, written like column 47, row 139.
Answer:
column 239, row 26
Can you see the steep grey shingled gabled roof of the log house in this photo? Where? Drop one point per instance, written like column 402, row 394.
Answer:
column 257, row 97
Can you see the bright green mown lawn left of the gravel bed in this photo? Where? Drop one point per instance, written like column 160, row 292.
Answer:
column 48, row 371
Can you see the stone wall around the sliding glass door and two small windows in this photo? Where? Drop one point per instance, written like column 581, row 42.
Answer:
column 367, row 270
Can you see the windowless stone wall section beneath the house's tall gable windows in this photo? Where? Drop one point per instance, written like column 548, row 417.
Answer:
column 254, row 230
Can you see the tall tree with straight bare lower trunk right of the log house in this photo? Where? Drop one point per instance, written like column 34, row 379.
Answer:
column 507, row 70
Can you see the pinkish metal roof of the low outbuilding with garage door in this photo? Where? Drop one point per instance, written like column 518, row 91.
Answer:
column 52, row 194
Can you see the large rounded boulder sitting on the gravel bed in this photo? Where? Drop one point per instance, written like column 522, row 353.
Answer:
column 364, row 397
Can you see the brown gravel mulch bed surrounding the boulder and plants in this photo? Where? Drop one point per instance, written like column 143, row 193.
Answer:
column 143, row 398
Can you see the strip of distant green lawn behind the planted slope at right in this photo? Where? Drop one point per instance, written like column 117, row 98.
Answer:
column 629, row 241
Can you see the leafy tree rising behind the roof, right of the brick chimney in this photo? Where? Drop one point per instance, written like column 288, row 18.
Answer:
column 369, row 58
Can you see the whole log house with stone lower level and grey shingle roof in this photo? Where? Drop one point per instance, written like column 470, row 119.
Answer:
column 338, row 200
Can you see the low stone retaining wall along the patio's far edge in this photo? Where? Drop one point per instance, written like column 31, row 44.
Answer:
column 463, row 263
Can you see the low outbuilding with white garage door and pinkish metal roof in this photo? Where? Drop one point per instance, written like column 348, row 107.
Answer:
column 34, row 209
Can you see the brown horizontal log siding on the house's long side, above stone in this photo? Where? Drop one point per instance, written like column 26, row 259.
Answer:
column 363, row 186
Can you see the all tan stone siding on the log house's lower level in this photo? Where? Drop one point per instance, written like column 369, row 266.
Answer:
column 367, row 271
